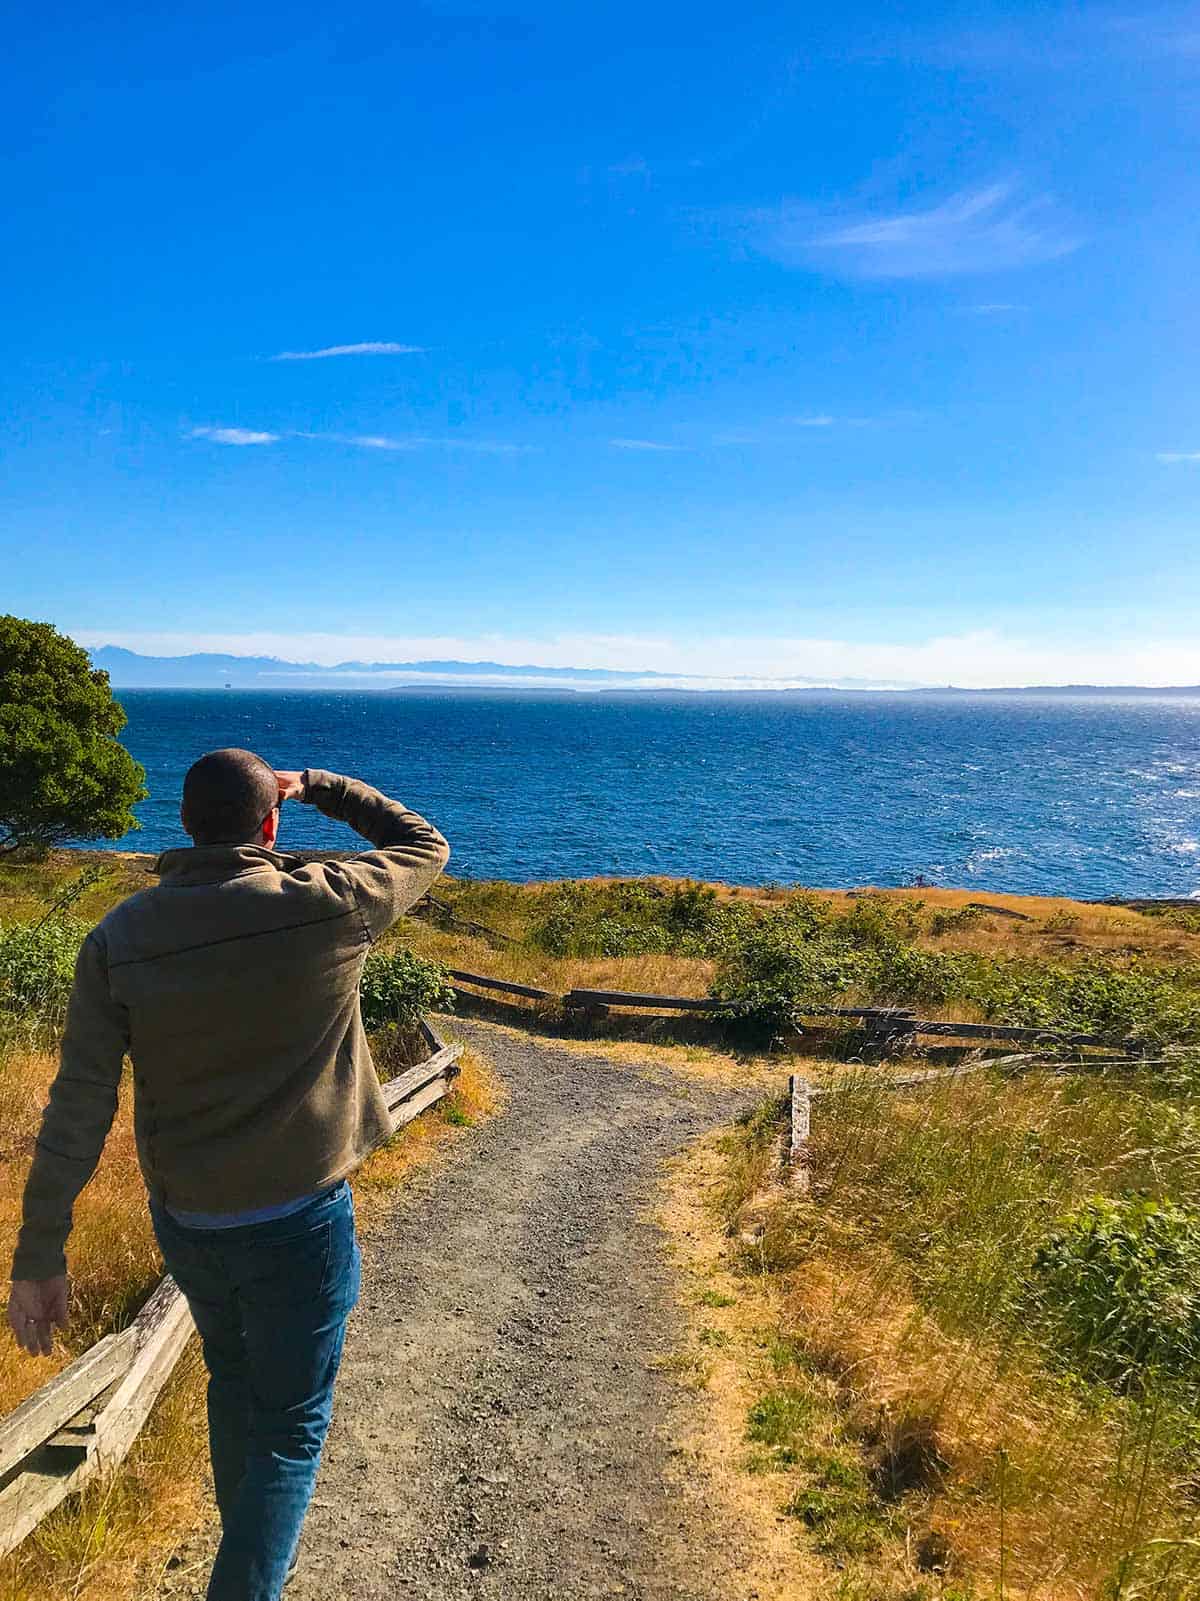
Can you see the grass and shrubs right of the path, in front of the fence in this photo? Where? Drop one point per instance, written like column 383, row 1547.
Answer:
column 974, row 1370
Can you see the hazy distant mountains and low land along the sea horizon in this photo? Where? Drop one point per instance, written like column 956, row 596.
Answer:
column 206, row 670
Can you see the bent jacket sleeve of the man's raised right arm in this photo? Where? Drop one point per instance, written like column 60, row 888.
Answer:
column 409, row 856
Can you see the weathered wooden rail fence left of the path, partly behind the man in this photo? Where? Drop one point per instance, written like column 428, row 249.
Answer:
column 86, row 1419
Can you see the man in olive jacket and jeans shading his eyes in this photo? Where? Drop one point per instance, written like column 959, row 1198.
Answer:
column 234, row 989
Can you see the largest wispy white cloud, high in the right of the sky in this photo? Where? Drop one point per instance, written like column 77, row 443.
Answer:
column 988, row 230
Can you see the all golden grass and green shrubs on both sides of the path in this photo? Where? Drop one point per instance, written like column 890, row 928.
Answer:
column 969, row 1355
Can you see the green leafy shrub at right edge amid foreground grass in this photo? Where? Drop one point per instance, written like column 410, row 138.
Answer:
column 1119, row 1290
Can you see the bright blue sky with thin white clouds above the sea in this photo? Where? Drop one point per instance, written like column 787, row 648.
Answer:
column 716, row 340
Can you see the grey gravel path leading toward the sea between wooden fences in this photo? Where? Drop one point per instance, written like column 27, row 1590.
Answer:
column 505, row 1426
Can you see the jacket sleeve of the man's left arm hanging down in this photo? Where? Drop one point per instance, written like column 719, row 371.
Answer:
column 78, row 1118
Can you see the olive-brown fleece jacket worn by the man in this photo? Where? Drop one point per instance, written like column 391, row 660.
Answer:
column 233, row 985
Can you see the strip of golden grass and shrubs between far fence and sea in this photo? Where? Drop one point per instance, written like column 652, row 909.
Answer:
column 774, row 953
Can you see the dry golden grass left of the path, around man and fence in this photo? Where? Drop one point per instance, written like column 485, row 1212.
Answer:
column 106, row 1544
